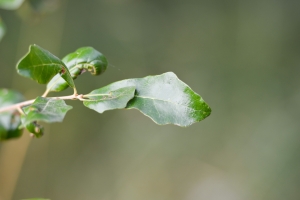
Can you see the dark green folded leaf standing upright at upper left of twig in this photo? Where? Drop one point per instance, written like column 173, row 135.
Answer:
column 41, row 66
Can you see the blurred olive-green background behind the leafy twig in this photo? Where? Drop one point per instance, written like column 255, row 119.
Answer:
column 242, row 57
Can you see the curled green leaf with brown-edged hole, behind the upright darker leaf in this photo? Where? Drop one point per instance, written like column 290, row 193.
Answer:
column 83, row 59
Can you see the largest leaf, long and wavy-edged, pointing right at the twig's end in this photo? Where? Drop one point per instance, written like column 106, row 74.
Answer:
column 165, row 99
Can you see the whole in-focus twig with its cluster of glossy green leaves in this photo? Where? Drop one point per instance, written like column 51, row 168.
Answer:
column 163, row 98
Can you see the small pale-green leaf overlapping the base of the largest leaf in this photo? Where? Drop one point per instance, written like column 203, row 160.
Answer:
column 104, row 99
